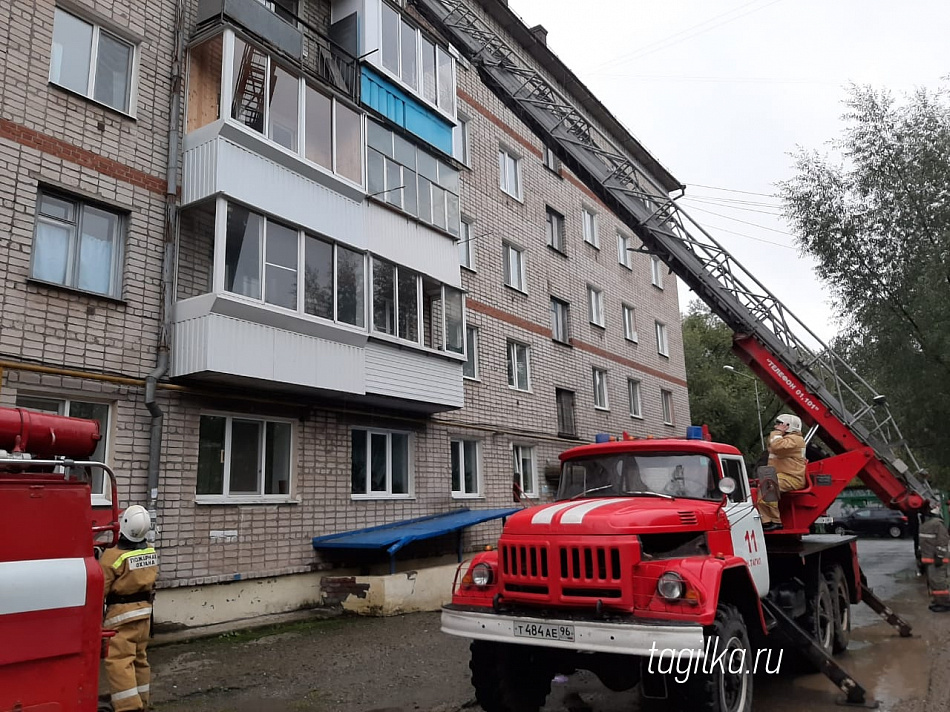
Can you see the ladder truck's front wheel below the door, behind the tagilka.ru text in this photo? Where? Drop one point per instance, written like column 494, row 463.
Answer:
column 715, row 687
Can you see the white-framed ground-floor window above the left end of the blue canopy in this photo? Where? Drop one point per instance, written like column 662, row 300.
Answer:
column 381, row 464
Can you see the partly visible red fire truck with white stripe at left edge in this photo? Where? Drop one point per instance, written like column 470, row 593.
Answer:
column 51, row 584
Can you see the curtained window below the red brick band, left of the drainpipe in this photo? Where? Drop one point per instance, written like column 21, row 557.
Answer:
column 78, row 244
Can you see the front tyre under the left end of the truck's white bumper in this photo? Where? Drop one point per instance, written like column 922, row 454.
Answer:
column 510, row 678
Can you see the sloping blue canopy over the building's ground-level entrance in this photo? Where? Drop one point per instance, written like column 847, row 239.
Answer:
column 395, row 536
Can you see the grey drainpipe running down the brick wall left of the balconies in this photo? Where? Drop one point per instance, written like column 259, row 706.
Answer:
column 168, row 263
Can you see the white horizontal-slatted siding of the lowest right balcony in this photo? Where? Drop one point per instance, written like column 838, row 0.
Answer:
column 413, row 375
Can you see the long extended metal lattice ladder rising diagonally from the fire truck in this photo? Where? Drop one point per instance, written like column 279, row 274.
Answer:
column 665, row 229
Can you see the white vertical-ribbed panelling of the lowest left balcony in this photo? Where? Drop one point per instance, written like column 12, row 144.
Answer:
column 224, row 345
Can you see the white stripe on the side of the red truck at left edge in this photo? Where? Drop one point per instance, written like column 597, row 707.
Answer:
column 42, row 585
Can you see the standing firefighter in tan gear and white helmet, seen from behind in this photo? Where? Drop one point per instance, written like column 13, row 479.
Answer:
column 130, row 571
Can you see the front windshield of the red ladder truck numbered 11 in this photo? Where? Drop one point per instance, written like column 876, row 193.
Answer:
column 630, row 475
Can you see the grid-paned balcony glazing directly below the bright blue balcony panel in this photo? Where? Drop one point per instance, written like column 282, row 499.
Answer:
column 409, row 178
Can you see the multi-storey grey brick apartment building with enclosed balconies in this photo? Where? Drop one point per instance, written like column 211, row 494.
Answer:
column 306, row 293
